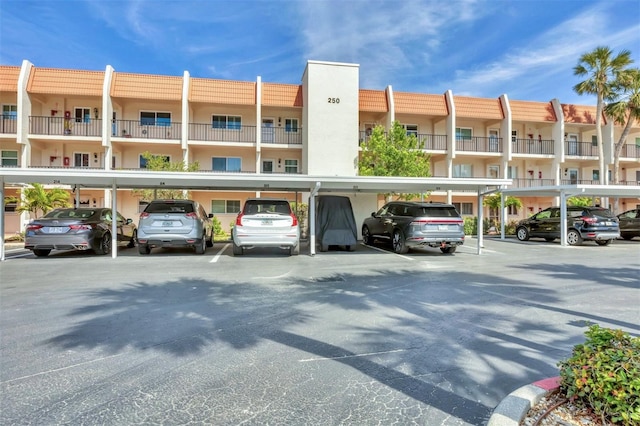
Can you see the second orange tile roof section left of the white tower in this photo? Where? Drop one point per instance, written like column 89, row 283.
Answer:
column 222, row 91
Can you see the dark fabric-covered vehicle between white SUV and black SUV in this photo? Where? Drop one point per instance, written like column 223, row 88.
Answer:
column 335, row 223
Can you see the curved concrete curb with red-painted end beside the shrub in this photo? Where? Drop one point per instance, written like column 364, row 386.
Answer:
column 517, row 404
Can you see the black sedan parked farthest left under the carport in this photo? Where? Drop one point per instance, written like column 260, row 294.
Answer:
column 79, row 229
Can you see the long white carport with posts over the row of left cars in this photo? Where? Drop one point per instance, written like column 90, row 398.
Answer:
column 123, row 179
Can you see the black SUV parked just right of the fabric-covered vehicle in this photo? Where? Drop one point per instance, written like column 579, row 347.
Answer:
column 411, row 224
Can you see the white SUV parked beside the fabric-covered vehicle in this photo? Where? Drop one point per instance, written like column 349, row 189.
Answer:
column 266, row 222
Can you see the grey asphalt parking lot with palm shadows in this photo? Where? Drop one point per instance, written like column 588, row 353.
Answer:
column 363, row 337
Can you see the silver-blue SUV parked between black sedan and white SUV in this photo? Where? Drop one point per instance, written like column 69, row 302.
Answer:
column 175, row 223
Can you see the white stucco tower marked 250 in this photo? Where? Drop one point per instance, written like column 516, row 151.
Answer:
column 330, row 93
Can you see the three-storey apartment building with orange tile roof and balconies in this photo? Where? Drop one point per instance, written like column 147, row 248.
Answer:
column 66, row 118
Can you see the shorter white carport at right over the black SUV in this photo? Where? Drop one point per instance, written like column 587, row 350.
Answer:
column 564, row 192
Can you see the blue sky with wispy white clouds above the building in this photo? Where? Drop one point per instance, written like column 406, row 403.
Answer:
column 524, row 48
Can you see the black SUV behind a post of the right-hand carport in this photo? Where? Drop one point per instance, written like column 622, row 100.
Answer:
column 583, row 223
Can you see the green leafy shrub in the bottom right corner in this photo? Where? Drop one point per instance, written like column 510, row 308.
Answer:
column 603, row 374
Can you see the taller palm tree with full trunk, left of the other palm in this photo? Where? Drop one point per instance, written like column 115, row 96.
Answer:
column 602, row 70
